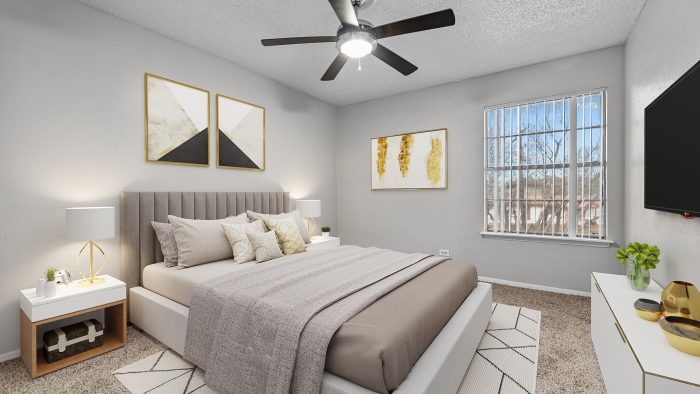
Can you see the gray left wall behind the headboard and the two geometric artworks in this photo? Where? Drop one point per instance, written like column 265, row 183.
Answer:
column 72, row 128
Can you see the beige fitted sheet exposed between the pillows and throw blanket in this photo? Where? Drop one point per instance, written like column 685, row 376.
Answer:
column 178, row 284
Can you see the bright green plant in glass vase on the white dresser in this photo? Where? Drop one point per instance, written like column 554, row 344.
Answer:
column 639, row 259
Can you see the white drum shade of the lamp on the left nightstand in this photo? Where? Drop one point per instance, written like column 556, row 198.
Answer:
column 89, row 223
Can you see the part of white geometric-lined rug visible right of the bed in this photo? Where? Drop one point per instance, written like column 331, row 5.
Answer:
column 506, row 359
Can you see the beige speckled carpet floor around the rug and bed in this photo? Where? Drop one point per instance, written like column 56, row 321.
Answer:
column 567, row 362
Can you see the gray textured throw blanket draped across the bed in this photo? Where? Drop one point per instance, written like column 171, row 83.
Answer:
column 267, row 328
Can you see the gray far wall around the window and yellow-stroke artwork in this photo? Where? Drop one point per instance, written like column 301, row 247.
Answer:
column 427, row 220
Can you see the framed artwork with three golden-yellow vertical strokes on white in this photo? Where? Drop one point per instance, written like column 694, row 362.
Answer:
column 410, row 161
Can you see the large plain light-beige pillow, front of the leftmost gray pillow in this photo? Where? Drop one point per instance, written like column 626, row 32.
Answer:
column 202, row 241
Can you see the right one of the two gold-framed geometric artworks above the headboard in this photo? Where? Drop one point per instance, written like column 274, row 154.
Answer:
column 240, row 134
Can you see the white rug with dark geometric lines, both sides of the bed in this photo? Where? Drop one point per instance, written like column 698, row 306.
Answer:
column 505, row 361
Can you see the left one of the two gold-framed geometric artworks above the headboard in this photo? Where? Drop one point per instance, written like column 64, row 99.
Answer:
column 177, row 122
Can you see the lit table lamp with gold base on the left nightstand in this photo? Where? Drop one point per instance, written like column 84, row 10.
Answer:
column 90, row 224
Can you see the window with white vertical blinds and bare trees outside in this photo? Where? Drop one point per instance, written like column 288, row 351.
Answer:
column 530, row 188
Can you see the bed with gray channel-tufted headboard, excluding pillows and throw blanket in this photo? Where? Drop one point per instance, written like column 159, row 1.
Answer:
column 443, row 311
